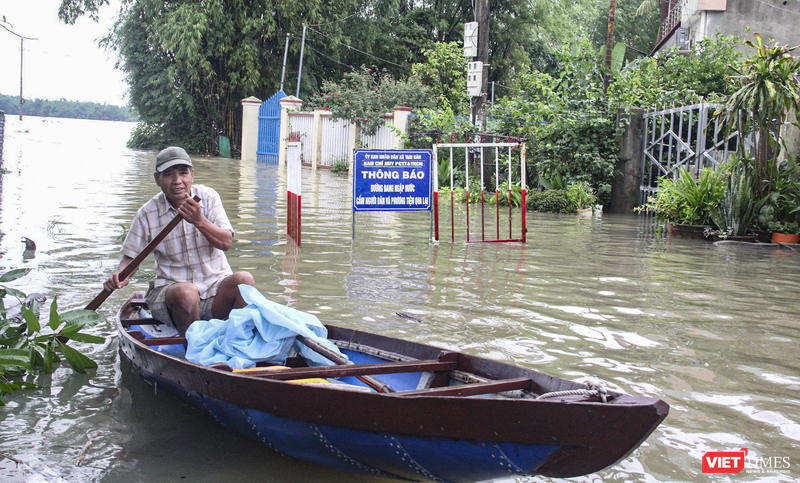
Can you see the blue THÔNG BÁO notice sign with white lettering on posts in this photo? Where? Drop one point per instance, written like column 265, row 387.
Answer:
column 392, row 180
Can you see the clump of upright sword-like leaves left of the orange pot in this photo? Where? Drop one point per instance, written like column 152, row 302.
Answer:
column 737, row 210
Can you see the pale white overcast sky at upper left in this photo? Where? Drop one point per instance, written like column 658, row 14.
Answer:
column 65, row 60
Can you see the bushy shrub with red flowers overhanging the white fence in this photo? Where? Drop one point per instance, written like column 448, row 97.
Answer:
column 364, row 96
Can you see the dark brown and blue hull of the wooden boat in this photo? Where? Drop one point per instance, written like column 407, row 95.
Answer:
column 442, row 438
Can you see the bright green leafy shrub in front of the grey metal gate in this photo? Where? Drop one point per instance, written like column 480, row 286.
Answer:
column 685, row 200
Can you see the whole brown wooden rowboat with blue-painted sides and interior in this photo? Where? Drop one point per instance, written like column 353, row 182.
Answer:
column 452, row 416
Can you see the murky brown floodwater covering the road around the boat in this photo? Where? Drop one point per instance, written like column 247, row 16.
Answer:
column 710, row 329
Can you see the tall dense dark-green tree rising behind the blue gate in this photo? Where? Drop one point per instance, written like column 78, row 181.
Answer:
column 190, row 63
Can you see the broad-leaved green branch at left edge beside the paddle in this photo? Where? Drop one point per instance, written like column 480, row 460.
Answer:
column 28, row 344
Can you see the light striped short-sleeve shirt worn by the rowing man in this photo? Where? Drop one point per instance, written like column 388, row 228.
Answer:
column 185, row 255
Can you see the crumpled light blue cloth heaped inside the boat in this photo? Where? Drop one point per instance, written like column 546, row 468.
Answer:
column 263, row 331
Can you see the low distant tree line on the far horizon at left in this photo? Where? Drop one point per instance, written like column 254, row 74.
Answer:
column 67, row 109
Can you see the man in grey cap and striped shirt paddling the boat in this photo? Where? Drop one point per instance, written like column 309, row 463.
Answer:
column 193, row 278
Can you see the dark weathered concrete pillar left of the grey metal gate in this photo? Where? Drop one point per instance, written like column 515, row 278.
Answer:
column 628, row 169
